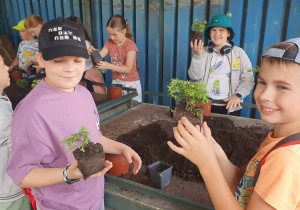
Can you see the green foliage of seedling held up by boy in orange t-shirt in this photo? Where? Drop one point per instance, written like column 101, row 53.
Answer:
column 192, row 92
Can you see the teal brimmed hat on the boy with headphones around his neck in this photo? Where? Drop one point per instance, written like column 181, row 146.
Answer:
column 219, row 20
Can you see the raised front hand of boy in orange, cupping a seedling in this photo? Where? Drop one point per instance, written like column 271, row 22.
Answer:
column 196, row 146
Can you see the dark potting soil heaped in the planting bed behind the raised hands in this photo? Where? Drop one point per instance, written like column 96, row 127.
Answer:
column 239, row 143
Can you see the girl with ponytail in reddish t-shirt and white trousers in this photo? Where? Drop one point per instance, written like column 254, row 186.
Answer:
column 123, row 55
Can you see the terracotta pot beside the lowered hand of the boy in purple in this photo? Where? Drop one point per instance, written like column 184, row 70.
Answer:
column 120, row 164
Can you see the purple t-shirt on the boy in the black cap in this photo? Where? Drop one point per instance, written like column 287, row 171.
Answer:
column 41, row 120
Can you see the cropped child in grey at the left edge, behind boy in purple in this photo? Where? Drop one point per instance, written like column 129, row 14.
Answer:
column 11, row 196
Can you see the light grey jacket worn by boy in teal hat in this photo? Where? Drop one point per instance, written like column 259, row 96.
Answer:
column 241, row 81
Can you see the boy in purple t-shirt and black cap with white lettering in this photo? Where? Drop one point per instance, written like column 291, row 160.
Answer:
column 56, row 108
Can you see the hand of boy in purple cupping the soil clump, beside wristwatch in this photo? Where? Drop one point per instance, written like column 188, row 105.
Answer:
column 74, row 172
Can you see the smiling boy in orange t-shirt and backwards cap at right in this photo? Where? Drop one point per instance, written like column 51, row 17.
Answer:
column 271, row 179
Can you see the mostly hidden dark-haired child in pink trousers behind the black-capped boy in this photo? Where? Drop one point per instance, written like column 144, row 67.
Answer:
column 90, row 73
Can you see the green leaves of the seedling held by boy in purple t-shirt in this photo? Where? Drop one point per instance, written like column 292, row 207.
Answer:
column 77, row 140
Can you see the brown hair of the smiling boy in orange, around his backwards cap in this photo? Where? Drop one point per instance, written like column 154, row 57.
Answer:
column 284, row 46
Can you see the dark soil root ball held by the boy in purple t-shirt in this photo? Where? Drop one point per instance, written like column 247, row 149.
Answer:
column 92, row 160
